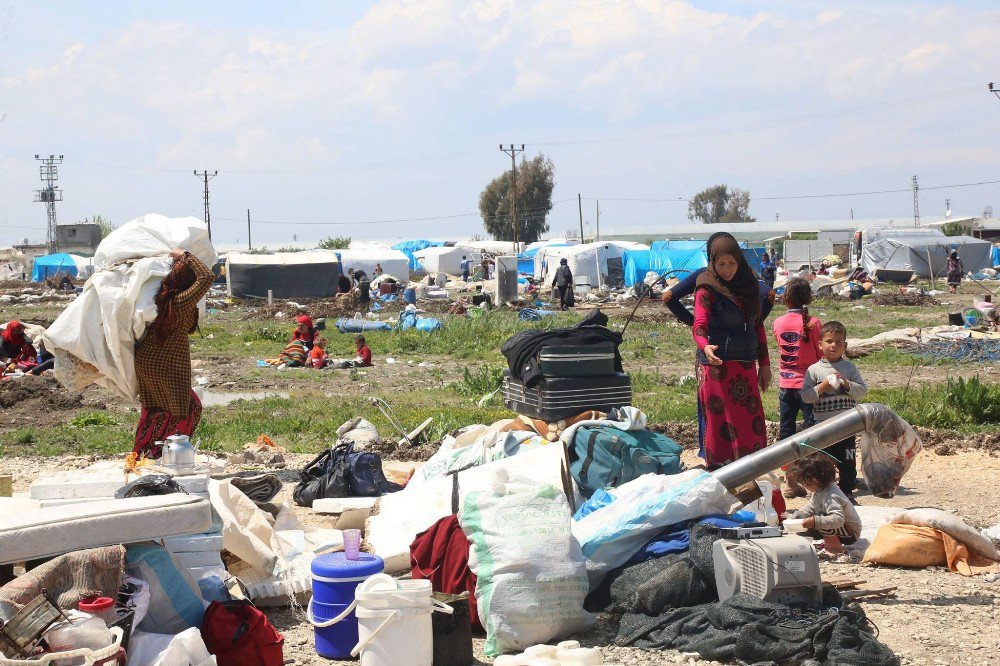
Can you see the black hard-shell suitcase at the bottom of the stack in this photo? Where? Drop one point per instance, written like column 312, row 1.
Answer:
column 555, row 398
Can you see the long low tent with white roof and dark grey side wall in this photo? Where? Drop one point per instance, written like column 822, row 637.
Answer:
column 309, row 274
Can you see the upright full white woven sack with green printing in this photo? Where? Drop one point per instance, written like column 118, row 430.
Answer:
column 531, row 578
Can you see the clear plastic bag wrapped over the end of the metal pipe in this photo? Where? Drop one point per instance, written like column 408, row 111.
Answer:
column 888, row 446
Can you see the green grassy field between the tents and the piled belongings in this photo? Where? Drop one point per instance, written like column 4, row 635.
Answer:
column 467, row 364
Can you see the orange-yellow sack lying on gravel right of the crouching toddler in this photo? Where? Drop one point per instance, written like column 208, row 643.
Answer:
column 915, row 546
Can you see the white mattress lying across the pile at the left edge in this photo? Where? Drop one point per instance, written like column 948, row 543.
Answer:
column 29, row 535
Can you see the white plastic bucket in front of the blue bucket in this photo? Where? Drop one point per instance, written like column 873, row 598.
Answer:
column 394, row 625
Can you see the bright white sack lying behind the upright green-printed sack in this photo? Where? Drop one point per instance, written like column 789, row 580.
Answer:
column 399, row 517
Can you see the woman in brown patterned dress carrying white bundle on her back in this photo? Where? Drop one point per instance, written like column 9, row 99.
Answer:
column 163, row 356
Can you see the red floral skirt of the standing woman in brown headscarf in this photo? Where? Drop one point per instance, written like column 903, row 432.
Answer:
column 729, row 398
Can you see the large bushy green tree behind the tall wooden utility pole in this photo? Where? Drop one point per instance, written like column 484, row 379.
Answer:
column 535, row 182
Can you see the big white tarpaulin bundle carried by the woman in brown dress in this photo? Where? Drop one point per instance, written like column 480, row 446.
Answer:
column 94, row 338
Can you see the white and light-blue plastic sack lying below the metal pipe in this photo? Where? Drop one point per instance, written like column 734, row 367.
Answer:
column 611, row 535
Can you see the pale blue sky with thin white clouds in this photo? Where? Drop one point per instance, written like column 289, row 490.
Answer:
column 381, row 120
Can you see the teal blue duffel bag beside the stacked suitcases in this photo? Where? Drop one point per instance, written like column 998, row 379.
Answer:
column 606, row 457
